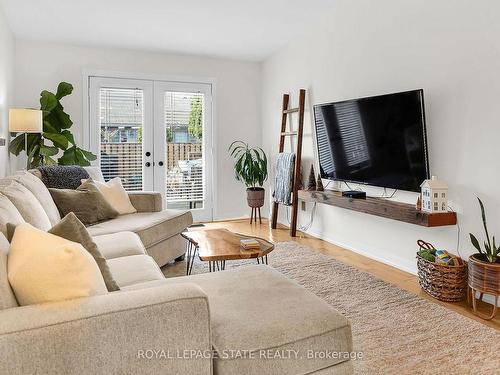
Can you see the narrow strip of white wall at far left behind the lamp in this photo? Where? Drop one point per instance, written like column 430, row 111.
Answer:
column 6, row 88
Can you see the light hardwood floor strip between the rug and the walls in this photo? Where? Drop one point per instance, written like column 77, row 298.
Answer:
column 387, row 273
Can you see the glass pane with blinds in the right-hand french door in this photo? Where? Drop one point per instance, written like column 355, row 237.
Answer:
column 184, row 113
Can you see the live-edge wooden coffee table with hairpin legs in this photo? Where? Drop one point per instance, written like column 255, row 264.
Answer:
column 215, row 246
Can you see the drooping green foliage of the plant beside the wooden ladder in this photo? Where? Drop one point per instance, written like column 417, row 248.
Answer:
column 250, row 164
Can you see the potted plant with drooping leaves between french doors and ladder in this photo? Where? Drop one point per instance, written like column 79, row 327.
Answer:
column 250, row 166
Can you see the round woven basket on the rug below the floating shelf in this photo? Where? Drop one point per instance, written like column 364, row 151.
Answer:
column 446, row 283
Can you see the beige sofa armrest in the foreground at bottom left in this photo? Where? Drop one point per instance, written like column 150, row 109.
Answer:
column 143, row 331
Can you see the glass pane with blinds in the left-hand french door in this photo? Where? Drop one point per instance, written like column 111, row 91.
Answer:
column 121, row 123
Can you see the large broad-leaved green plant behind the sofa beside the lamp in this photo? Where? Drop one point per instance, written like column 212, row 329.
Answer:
column 56, row 123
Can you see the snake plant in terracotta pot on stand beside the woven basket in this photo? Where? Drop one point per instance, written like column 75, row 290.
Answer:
column 484, row 268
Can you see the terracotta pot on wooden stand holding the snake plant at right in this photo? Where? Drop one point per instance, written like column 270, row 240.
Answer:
column 484, row 277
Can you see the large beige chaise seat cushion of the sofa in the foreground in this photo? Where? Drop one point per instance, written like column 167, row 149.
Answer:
column 255, row 308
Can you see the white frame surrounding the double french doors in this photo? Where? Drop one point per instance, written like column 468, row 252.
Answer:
column 86, row 105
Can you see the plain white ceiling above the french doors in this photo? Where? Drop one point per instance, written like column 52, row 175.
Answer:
column 247, row 30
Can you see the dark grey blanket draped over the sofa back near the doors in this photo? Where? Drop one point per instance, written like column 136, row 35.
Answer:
column 62, row 176
